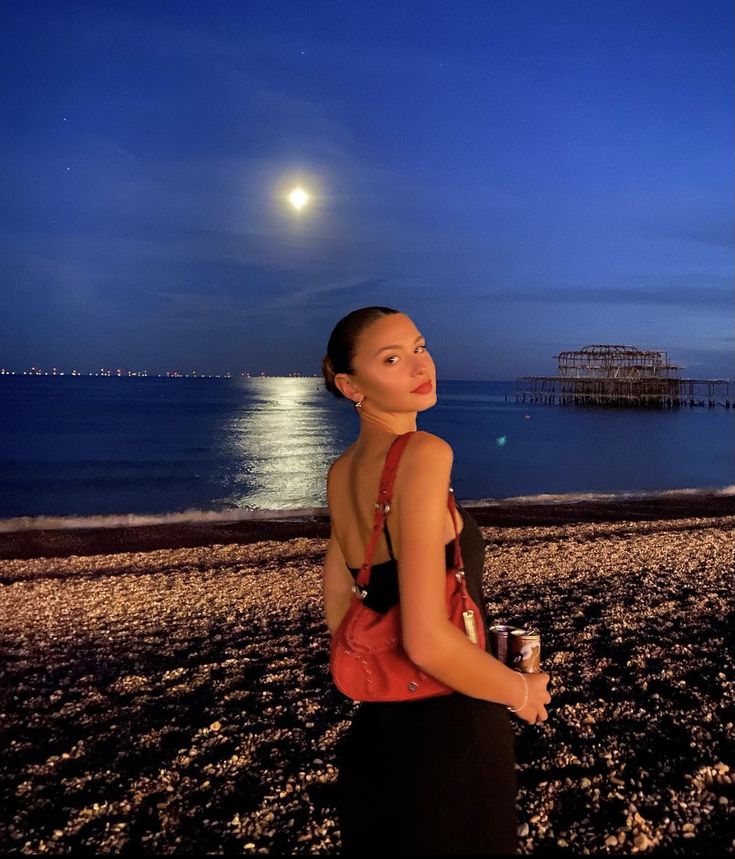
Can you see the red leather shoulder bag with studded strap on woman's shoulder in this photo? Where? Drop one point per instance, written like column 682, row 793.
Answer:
column 367, row 659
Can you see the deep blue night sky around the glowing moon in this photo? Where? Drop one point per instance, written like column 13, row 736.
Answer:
column 520, row 177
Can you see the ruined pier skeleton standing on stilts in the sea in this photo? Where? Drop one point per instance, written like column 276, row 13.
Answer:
column 622, row 376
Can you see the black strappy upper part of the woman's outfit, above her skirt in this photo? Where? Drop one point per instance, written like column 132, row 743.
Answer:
column 383, row 590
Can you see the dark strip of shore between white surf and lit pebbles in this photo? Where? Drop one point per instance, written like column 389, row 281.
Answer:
column 30, row 542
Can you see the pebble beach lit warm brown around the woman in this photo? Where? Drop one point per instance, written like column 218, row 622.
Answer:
column 167, row 690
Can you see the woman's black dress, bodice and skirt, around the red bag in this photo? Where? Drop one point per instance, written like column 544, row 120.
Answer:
column 433, row 776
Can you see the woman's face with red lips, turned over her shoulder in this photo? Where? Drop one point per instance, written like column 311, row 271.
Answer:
column 390, row 362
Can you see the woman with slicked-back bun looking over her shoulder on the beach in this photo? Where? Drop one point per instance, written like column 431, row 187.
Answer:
column 435, row 775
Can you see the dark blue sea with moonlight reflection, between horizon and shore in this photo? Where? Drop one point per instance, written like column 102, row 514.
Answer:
column 84, row 447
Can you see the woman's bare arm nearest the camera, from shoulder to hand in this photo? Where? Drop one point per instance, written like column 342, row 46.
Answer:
column 429, row 637
